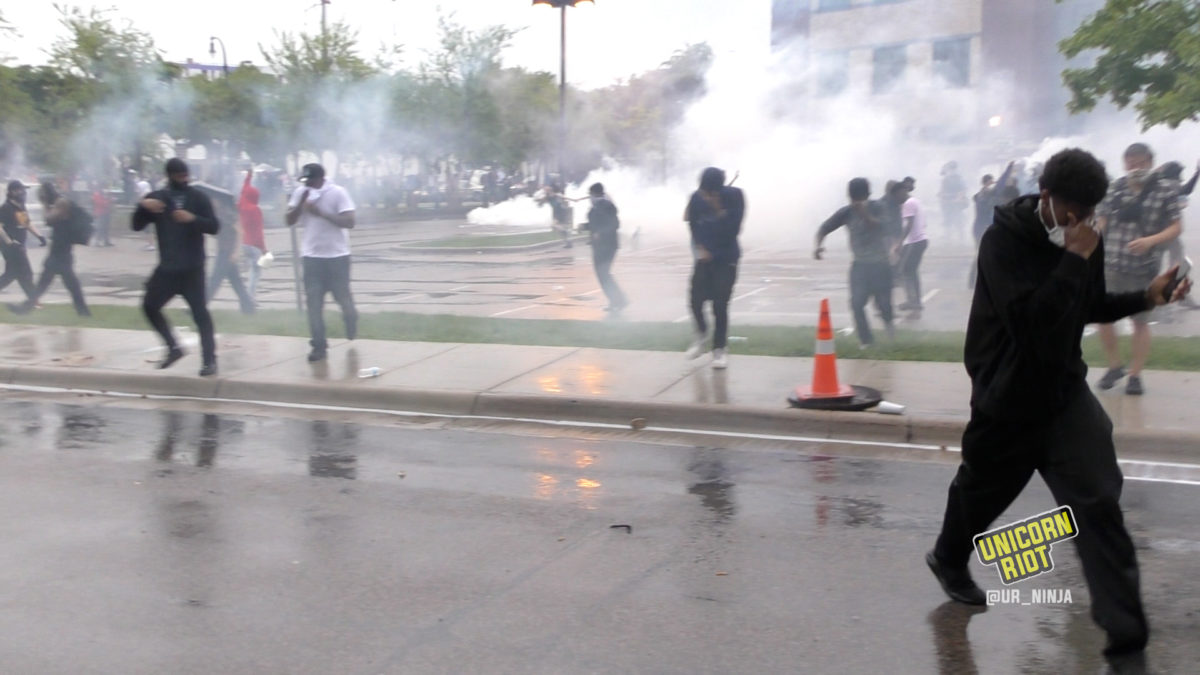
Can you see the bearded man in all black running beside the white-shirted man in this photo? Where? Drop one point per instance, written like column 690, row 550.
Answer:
column 182, row 217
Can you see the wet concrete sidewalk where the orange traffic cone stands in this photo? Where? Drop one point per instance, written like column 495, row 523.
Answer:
column 562, row 384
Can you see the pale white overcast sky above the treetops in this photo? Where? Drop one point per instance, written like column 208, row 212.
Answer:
column 607, row 41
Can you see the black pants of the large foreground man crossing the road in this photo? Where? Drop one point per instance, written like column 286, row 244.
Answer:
column 1075, row 455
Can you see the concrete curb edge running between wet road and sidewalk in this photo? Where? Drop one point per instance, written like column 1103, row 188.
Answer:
column 1131, row 444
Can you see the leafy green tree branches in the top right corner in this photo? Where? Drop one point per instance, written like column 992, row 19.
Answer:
column 1148, row 55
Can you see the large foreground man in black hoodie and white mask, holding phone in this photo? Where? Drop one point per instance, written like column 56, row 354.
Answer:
column 1041, row 280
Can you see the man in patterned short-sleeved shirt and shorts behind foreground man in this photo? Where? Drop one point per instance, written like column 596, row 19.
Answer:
column 1139, row 218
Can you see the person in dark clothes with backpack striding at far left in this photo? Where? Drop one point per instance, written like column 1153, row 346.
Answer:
column 64, row 218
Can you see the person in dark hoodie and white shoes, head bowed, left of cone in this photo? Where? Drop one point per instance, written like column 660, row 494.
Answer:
column 715, row 216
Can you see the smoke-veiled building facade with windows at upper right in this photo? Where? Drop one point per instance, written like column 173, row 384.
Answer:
column 950, row 70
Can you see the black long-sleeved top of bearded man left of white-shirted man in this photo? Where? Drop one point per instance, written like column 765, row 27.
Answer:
column 181, row 244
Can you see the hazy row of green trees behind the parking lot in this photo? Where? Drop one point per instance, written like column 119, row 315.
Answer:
column 107, row 97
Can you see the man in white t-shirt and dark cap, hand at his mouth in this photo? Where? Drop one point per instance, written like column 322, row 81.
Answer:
column 327, row 214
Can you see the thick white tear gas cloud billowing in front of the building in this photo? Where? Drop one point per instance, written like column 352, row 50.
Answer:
column 795, row 153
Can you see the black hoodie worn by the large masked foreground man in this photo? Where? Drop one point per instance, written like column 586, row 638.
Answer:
column 1033, row 301
